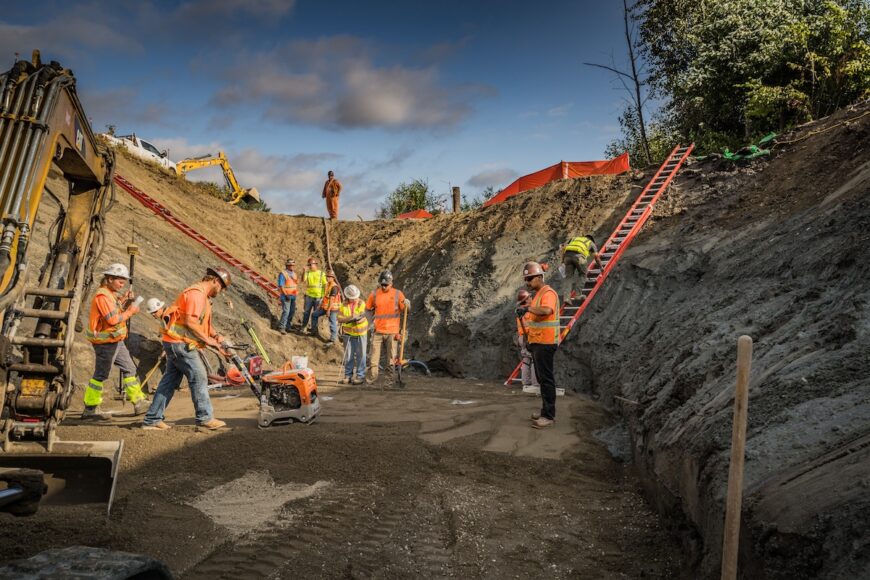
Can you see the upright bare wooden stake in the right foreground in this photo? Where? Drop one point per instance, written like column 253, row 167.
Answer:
column 734, row 500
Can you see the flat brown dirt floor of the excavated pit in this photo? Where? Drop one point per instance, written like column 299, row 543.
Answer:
column 441, row 479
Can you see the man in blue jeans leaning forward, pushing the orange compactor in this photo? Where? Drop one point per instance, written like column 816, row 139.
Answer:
column 188, row 331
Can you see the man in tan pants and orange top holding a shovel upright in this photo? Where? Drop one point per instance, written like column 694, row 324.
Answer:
column 385, row 305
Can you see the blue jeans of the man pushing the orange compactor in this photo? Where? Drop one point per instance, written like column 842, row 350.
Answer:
column 181, row 363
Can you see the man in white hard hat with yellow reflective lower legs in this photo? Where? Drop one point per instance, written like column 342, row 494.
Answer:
column 107, row 330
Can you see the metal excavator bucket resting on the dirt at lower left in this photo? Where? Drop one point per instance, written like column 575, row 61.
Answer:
column 75, row 472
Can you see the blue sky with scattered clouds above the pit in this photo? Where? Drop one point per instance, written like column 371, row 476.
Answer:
column 458, row 93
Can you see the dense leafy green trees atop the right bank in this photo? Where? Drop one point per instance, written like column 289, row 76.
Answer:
column 733, row 68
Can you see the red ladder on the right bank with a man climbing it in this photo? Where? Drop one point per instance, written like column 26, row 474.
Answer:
column 616, row 244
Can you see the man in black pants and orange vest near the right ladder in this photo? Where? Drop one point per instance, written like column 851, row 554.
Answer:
column 543, row 335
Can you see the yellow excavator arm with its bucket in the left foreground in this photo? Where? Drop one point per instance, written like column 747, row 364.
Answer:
column 43, row 128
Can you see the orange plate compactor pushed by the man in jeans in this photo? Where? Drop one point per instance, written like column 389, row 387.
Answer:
column 286, row 395
